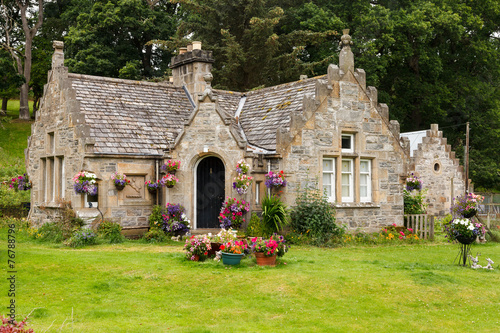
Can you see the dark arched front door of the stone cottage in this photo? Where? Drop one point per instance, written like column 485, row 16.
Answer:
column 210, row 177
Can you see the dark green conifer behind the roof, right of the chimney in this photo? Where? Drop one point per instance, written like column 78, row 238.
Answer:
column 248, row 45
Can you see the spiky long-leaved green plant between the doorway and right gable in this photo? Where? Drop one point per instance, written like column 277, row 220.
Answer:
column 274, row 214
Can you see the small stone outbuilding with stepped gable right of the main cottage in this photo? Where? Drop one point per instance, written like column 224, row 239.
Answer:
column 432, row 159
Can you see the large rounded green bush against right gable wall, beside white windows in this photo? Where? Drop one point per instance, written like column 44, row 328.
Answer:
column 314, row 216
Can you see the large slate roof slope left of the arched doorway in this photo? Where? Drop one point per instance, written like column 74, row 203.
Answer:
column 131, row 117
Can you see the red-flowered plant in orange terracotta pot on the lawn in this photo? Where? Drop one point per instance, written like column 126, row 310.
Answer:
column 266, row 251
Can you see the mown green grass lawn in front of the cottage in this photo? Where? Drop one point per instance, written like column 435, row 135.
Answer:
column 136, row 287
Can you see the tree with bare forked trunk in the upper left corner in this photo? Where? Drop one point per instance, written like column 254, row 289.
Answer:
column 31, row 21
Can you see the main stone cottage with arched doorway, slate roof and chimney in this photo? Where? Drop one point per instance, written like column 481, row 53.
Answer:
column 327, row 130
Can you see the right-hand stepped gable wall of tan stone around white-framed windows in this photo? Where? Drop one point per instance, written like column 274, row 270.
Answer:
column 342, row 106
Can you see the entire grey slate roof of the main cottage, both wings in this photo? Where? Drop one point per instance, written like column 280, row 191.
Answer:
column 144, row 118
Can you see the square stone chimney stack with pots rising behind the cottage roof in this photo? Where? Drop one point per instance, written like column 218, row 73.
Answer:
column 190, row 66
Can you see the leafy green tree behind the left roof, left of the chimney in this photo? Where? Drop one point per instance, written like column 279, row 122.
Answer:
column 110, row 36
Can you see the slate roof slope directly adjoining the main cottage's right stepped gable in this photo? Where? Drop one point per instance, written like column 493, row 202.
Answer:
column 268, row 109
